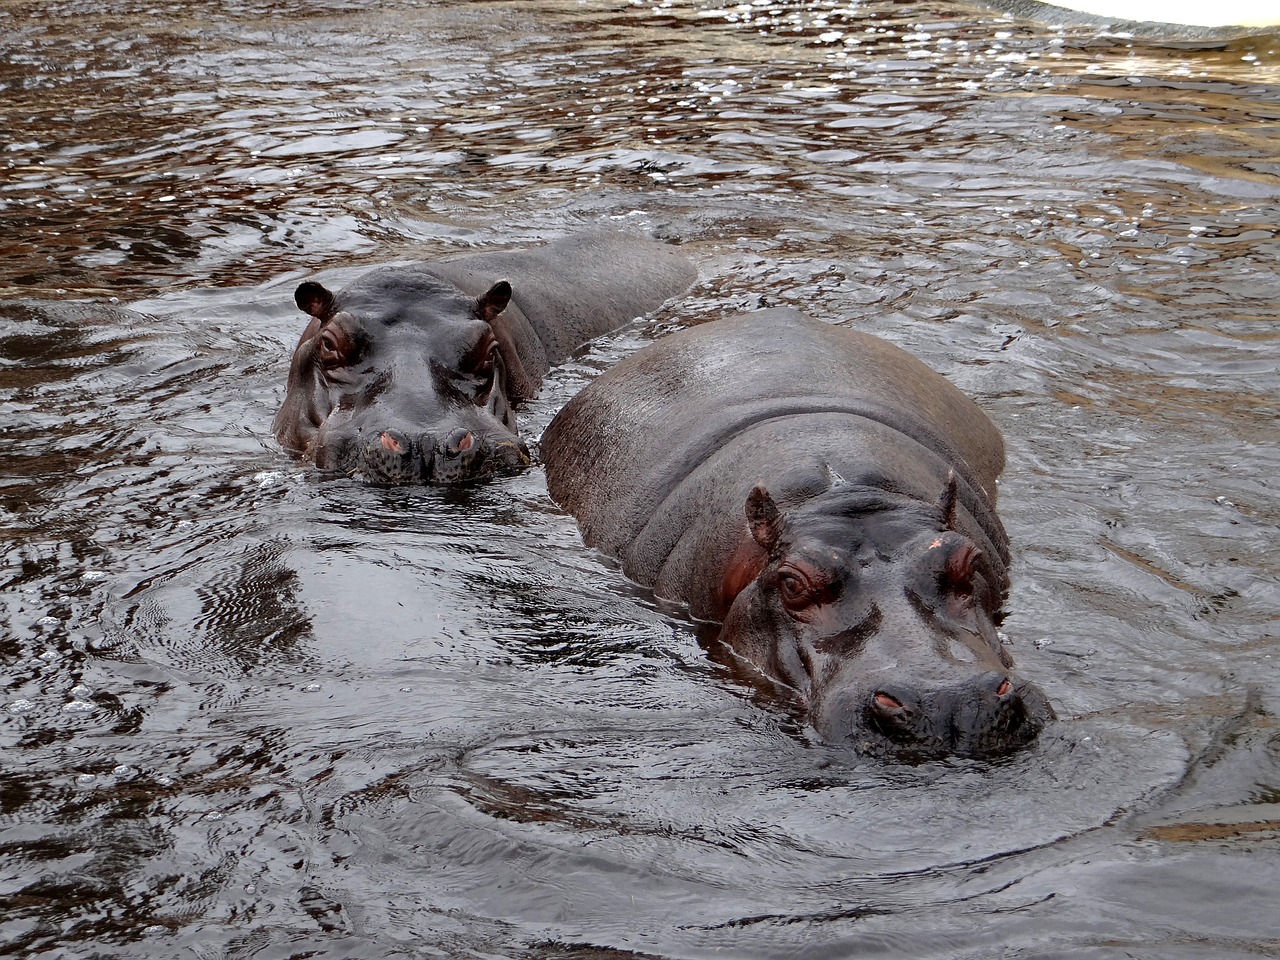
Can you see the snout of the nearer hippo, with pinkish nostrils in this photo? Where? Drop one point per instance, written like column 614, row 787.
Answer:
column 986, row 716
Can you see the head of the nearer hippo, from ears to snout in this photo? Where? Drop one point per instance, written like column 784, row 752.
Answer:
column 880, row 621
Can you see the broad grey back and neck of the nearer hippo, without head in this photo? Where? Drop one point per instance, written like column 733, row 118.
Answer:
column 656, row 459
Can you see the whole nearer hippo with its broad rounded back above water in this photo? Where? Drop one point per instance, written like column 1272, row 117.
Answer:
column 831, row 501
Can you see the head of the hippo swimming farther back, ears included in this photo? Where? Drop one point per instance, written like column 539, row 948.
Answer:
column 404, row 380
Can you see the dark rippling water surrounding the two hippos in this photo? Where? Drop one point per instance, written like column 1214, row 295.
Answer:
column 253, row 714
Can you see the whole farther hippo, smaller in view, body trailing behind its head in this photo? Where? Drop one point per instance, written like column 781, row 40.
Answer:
column 413, row 374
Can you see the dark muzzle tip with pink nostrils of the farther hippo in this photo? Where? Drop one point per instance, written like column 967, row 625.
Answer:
column 392, row 459
